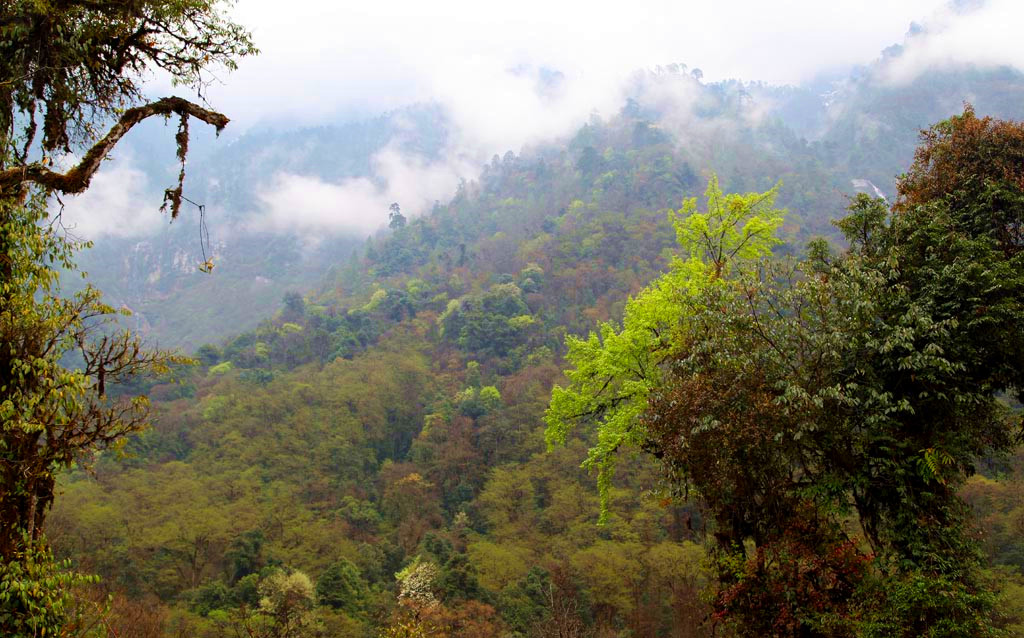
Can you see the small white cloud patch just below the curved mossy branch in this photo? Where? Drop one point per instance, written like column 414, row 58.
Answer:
column 119, row 203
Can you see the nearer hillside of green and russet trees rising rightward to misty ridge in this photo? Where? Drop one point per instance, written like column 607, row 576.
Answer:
column 379, row 446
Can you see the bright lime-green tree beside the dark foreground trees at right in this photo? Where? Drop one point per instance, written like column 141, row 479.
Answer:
column 615, row 371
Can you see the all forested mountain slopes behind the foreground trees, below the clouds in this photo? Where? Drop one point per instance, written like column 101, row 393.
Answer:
column 379, row 436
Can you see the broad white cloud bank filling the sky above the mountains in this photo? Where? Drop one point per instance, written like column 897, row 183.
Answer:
column 323, row 58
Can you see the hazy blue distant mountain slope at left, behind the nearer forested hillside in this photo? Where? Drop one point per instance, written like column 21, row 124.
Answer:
column 157, row 276
